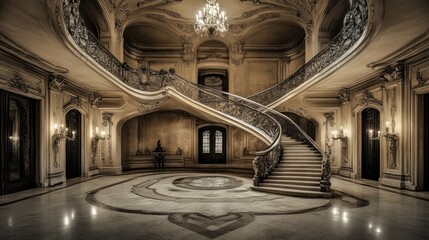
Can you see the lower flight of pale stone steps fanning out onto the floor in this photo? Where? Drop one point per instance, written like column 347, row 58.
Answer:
column 298, row 172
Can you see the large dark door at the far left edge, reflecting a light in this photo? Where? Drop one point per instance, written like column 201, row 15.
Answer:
column 19, row 124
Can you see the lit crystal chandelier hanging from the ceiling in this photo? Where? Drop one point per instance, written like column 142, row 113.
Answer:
column 211, row 21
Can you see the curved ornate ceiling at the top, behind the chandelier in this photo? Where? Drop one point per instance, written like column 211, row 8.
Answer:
column 257, row 24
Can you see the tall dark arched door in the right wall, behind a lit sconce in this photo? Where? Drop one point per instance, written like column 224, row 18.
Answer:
column 370, row 148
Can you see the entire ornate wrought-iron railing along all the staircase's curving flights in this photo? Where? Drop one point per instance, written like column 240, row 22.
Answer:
column 255, row 112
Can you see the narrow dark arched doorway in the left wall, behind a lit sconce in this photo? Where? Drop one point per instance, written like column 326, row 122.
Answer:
column 73, row 148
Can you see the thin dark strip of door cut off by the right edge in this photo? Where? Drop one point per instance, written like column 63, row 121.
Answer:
column 426, row 141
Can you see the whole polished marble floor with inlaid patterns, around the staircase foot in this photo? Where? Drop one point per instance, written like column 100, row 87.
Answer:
column 189, row 205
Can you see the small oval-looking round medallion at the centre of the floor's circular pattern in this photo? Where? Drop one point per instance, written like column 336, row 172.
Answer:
column 208, row 182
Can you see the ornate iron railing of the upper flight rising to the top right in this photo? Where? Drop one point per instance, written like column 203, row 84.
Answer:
column 354, row 26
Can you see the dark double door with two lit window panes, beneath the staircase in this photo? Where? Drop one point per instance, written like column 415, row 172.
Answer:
column 212, row 145
